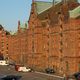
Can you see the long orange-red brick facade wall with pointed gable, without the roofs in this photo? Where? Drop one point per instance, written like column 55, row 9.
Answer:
column 47, row 46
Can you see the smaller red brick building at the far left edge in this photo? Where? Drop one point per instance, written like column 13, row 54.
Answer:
column 3, row 43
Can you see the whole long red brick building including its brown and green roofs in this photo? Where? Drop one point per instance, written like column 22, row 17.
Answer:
column 52, row 38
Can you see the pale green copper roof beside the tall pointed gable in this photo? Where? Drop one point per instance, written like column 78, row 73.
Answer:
column 42, row 6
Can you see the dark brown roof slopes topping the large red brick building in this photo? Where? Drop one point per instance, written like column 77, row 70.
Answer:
column 52, row 11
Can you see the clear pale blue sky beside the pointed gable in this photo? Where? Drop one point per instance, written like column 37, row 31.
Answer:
column 13, row 10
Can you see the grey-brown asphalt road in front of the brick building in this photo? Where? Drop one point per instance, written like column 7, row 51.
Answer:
column 9, row 70
